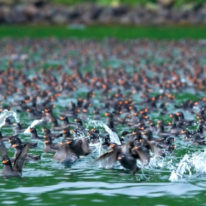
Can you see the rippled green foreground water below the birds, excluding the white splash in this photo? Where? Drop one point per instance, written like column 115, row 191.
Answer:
column 49, row 183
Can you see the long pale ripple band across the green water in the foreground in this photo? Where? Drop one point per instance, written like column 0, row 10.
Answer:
column 107, row 189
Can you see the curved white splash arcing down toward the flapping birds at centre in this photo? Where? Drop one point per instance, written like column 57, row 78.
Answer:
column 113, row 136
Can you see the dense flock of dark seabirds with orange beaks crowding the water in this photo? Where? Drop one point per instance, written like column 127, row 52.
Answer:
column 140, row 104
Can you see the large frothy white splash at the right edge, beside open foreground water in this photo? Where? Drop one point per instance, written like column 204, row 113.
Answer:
column 189, row 163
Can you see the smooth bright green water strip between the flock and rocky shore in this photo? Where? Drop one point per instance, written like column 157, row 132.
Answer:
column 102, row 32
